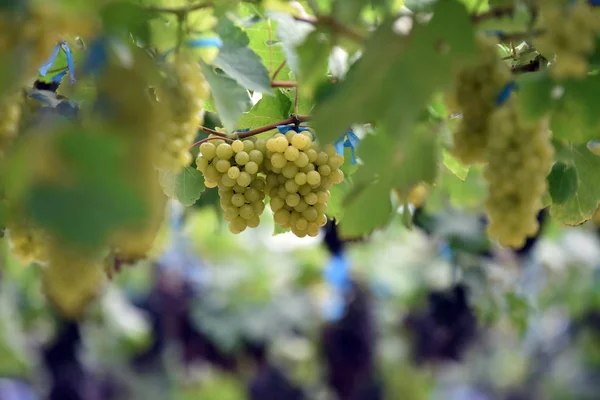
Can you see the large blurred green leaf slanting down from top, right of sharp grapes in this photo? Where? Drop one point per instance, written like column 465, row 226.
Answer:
column 387, row 82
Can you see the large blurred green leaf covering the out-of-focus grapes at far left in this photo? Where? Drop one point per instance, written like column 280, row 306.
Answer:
column 86, row 209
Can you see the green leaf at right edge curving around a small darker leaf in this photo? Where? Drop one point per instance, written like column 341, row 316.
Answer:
column 581, row 206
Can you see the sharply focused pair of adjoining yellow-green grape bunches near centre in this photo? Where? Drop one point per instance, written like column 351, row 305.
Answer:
column 289, row 168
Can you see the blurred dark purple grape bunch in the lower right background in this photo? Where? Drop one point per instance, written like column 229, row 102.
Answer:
column 444, row 329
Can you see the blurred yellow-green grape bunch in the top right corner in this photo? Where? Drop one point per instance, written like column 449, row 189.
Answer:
column 569, row 31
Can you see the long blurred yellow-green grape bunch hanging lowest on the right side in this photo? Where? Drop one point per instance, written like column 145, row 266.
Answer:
column 519, row 156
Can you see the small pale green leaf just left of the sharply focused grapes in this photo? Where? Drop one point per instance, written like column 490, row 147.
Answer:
column 186, row 187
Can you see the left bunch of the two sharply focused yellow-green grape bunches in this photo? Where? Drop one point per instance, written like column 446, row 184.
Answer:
column 234, row 168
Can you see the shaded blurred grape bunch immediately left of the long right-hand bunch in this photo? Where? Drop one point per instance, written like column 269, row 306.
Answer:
column 477, row 87
